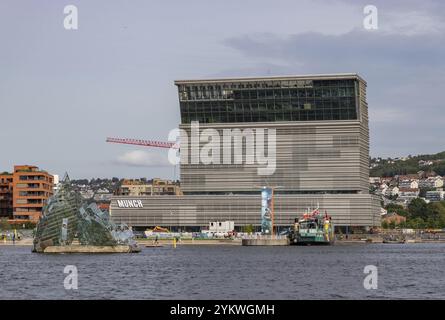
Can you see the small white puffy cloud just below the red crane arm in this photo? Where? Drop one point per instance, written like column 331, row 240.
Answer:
column 139, row 158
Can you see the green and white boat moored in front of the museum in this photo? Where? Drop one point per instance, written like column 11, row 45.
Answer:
column 314, row 228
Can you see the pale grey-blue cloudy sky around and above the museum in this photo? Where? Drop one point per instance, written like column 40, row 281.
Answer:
column 62, row 92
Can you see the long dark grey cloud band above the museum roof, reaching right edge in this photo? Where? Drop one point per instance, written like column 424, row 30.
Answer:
column 358, row 49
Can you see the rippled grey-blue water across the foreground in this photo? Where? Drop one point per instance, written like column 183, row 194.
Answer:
column 229, row 272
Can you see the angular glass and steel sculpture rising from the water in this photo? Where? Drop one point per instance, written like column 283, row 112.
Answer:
column 67, row 215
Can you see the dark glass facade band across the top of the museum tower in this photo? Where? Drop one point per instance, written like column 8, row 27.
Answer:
column 269, row 101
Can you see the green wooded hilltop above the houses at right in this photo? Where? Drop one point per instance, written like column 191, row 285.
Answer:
column 407, row 165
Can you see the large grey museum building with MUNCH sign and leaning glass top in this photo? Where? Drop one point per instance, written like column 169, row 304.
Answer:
column 319, row 156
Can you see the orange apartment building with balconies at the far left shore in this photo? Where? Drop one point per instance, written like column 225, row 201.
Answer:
column 25, row 192
